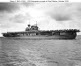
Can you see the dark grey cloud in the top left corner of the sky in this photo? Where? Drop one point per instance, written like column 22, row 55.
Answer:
column 9, row 7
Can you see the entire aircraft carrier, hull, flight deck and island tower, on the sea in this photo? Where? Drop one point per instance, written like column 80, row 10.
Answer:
column 32, row 31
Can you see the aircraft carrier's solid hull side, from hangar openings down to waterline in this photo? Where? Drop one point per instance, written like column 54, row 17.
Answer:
column 44, row 36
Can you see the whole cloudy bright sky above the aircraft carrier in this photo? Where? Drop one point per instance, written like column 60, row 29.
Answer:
column 48, row 15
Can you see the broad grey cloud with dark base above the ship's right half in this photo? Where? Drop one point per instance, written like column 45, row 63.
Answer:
column 63, row 11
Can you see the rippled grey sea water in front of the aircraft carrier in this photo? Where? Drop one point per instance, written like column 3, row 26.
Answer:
column 23, row 52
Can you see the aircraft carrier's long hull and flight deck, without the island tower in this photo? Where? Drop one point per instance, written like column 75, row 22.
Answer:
column 68, row 34
